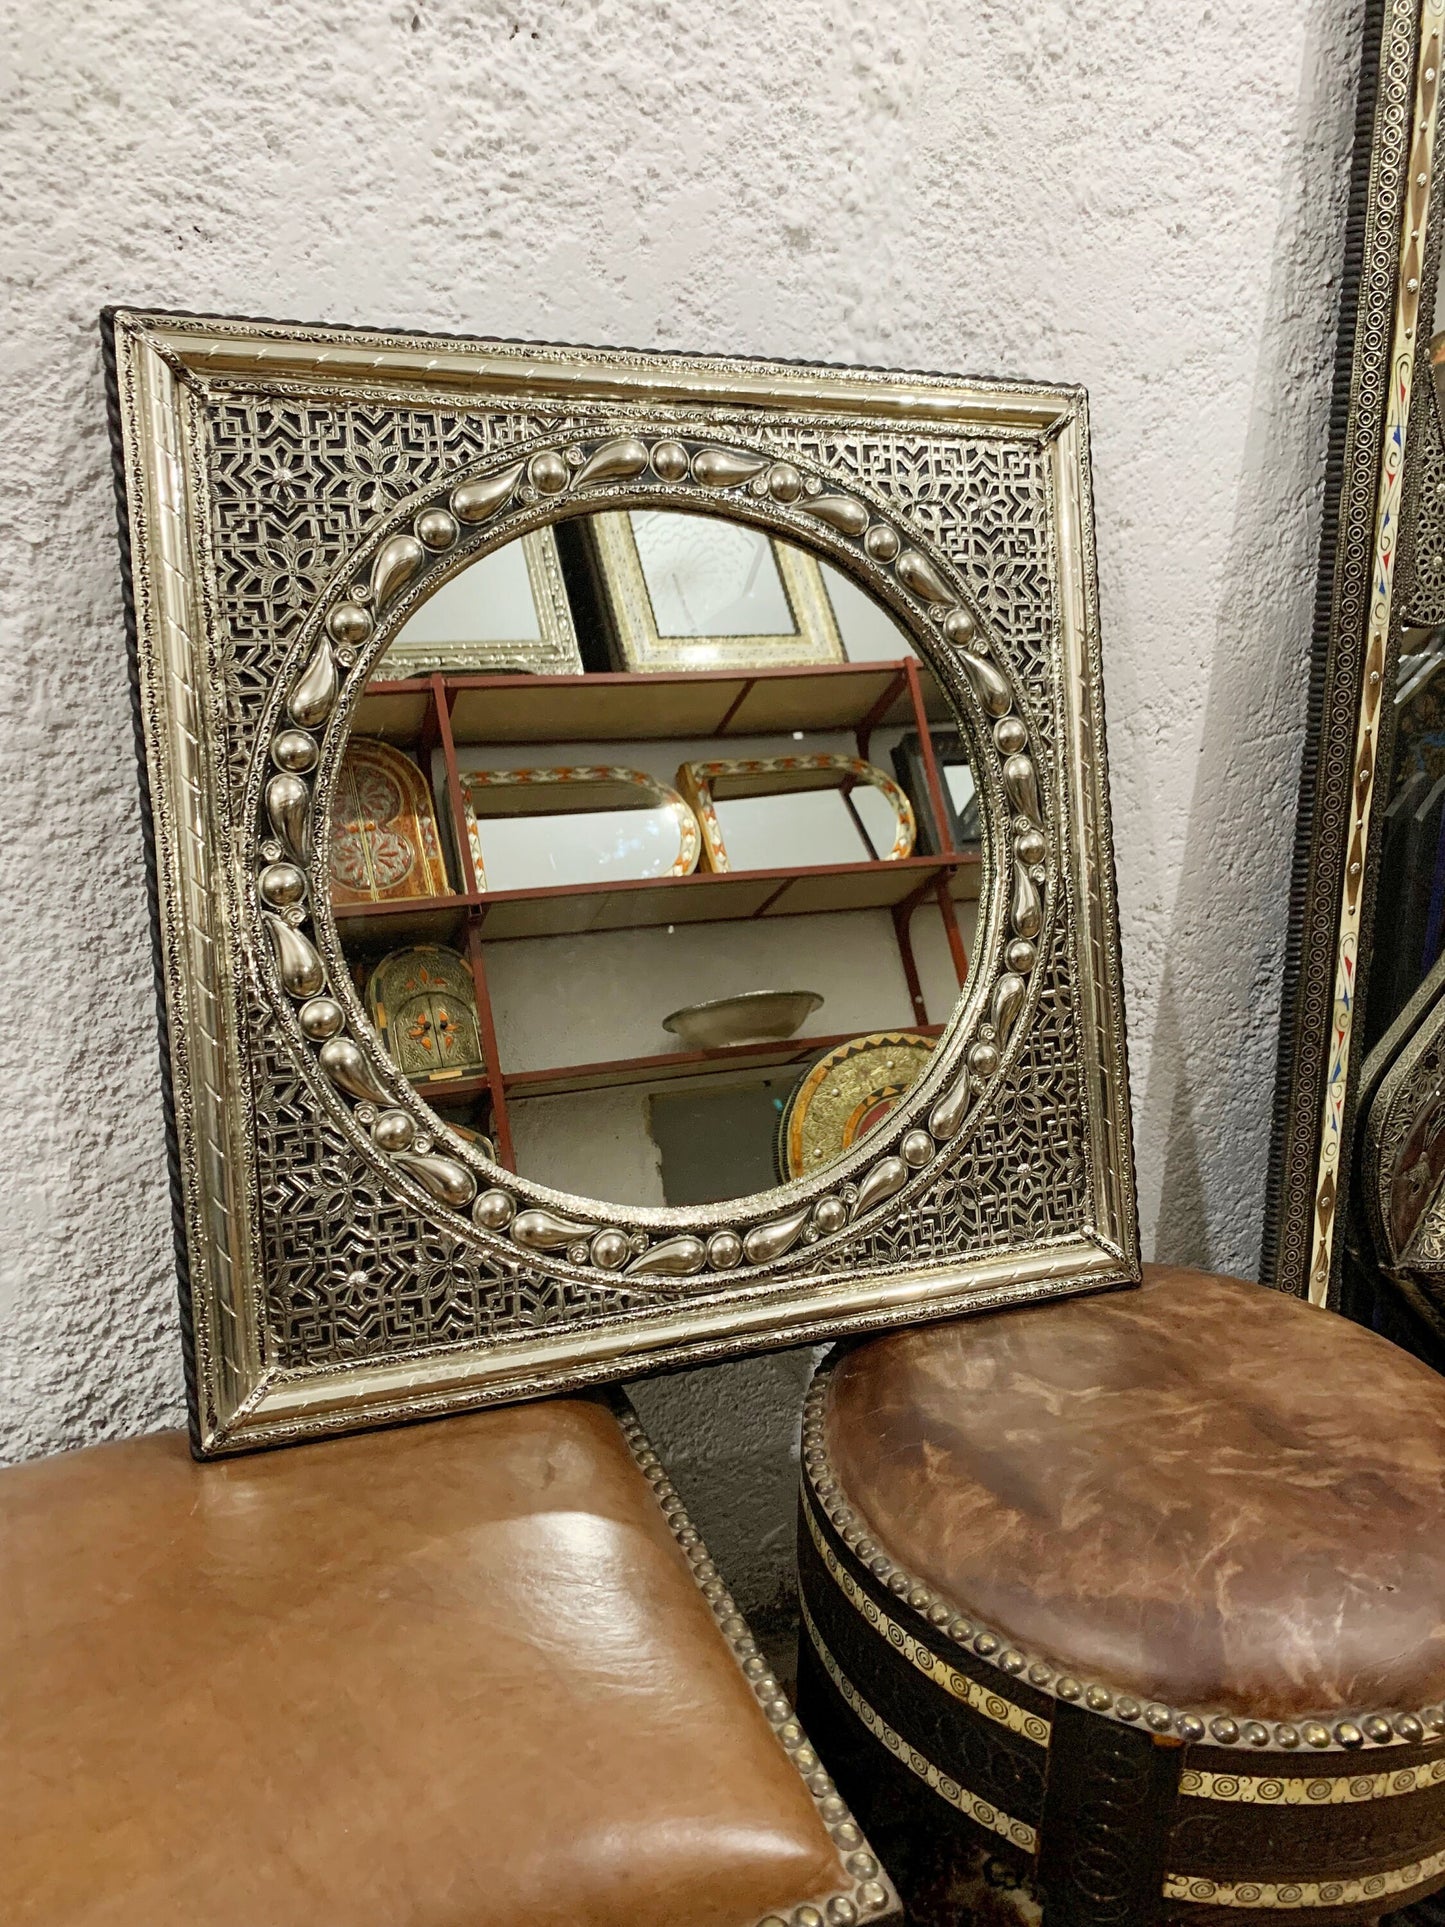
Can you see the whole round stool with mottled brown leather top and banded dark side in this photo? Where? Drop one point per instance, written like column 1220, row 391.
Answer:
column 1145, row 1591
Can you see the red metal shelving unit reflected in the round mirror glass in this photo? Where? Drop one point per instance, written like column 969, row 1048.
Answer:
column 444, row 710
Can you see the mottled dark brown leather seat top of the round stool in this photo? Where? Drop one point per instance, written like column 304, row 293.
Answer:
column 1199, row 1492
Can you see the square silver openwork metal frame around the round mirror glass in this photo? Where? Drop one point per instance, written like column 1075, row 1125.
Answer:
column 340, row 1271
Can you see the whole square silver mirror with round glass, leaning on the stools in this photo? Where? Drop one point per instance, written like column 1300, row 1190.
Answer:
column 631, row 849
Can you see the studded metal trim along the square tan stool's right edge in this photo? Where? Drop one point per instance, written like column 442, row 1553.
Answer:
column 870, row 1893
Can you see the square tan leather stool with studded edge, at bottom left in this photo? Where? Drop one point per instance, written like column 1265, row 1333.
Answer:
column 458, row 1676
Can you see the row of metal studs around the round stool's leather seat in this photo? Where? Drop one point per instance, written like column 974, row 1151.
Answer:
column 1327, row 1733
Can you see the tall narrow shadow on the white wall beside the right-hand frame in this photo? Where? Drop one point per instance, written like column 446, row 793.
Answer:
column 1219, row 1009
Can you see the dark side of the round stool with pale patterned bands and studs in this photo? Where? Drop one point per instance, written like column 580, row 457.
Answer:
column 1124, row 1808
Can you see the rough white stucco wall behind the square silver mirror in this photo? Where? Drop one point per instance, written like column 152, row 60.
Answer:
column 1145, row 199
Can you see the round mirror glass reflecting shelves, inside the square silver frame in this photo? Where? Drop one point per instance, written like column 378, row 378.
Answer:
column 700, row 901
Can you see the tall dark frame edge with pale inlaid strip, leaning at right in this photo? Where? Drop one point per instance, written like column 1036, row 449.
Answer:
column 1369, row 579
